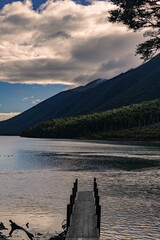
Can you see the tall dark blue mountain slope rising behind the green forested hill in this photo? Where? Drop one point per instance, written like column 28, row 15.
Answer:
column 134, row 86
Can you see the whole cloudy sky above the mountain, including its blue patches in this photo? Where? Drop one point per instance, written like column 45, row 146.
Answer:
column 48, row 46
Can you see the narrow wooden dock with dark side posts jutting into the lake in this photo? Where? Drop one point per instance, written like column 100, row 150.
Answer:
column 83, row 215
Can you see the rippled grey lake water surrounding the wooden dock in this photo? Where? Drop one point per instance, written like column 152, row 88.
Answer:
column 37, row 175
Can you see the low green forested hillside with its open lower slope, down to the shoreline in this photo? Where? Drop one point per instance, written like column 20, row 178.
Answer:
column 138, row 121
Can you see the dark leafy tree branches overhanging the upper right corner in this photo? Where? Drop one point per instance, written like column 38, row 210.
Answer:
column 140, row 14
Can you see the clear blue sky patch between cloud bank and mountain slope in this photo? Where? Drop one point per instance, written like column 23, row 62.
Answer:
column 20, row 97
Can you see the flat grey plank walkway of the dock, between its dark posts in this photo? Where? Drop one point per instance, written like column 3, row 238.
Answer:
column 83, row 221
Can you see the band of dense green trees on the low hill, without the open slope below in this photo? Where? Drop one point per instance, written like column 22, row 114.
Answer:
column 136, row 115
